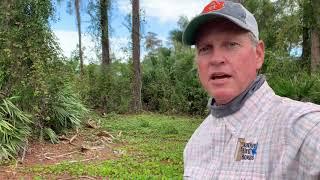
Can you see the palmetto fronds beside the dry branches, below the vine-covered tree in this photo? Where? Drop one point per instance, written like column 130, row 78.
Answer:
column 63, row 111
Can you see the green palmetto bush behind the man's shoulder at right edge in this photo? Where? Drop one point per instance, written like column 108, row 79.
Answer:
column 289, row 78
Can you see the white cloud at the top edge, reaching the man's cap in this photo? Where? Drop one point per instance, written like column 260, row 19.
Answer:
column 167, row 10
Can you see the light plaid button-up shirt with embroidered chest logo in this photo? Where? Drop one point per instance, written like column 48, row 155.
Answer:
column 284, row 136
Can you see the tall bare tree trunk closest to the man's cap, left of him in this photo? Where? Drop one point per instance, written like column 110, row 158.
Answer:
column 136, row 99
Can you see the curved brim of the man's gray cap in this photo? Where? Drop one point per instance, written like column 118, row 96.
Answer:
column 189, row 34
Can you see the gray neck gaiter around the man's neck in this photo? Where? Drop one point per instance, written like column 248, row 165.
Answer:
column 236, row 103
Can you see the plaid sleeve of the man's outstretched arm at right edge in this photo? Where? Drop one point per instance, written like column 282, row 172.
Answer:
column 303, row 129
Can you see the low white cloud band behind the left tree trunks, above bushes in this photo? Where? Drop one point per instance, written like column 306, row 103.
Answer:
column 68, row 41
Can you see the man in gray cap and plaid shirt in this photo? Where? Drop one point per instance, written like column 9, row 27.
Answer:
column 251, row 133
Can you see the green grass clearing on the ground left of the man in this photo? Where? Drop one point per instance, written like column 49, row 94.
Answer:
column 153, row 149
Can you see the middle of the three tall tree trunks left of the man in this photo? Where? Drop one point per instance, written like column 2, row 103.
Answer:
column 104, row 23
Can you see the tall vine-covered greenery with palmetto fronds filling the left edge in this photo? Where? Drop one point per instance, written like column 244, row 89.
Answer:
column 32, row 69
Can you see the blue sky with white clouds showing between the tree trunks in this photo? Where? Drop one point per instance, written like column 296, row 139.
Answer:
column 161, row 17
